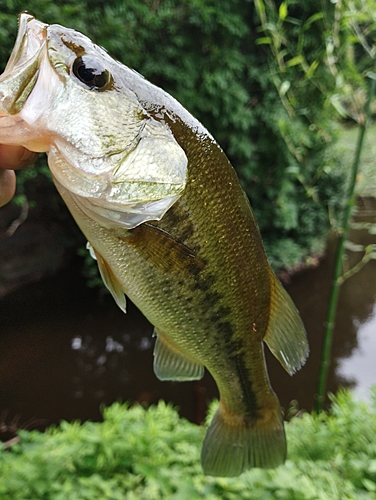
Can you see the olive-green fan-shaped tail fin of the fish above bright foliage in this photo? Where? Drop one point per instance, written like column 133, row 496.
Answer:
column 235, row 443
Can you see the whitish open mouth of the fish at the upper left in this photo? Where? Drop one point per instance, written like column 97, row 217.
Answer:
column 21, row 72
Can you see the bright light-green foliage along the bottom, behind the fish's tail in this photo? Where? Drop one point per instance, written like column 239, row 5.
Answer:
column 153, row 454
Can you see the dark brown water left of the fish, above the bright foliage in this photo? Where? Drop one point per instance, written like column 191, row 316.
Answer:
column 67, row 351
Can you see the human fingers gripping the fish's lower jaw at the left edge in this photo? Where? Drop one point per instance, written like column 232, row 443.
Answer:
column 12, row 158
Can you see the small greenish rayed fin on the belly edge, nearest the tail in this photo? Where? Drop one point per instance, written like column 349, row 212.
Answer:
column 170, row 364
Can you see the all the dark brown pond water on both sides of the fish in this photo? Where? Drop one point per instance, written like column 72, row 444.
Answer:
column 68, row 350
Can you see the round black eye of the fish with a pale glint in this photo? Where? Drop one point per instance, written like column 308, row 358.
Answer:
column 91, row 72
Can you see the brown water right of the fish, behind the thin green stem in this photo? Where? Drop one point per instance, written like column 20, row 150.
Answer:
column 357, row 299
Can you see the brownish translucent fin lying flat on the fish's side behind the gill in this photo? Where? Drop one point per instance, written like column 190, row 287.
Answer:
column 163, row 250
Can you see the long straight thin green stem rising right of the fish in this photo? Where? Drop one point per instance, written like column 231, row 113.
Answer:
column 336, row 283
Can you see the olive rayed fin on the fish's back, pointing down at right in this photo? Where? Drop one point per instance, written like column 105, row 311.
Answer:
column 286, row 336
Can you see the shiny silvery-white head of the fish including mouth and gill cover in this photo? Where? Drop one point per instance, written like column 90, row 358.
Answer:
column 62, row 94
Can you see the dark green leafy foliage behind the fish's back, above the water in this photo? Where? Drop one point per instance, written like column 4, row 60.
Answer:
column 264, row 77
